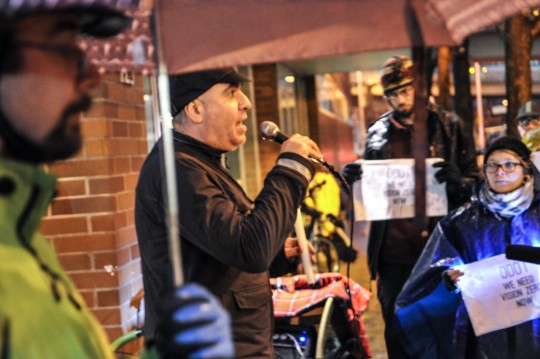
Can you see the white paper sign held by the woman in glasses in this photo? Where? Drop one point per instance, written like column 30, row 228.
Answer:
column 500, row 293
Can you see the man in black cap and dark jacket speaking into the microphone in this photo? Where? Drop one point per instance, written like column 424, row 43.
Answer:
column 228, row 241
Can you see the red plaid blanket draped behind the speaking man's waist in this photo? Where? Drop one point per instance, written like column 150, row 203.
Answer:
column 293, row 296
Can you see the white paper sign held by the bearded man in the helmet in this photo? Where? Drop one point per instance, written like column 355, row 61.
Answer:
column 386, row 190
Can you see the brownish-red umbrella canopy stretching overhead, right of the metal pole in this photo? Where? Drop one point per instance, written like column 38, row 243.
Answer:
column 198, row 35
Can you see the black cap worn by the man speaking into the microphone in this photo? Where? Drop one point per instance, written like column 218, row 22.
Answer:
column 185, row 88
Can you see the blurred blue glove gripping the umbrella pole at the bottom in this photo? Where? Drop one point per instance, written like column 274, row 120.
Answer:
column 194, row 325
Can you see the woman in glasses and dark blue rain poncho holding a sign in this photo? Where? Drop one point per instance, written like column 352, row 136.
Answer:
column 505, row 210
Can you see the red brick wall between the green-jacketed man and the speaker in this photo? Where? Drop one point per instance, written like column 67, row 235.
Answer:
column 91, row 221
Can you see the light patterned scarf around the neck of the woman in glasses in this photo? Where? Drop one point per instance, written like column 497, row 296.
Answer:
column 507, row 205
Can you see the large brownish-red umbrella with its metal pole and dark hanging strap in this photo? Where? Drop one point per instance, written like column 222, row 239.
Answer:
column 196, row 35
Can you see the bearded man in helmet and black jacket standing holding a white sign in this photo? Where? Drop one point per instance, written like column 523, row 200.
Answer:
column 394, row 244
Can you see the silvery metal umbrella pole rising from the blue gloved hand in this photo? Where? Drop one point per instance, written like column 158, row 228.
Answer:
column 167, row 159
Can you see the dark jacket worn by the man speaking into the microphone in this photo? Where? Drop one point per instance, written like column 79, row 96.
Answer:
column 228, row 241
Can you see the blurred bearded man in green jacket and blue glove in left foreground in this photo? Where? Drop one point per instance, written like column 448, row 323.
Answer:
column 45, row 79
